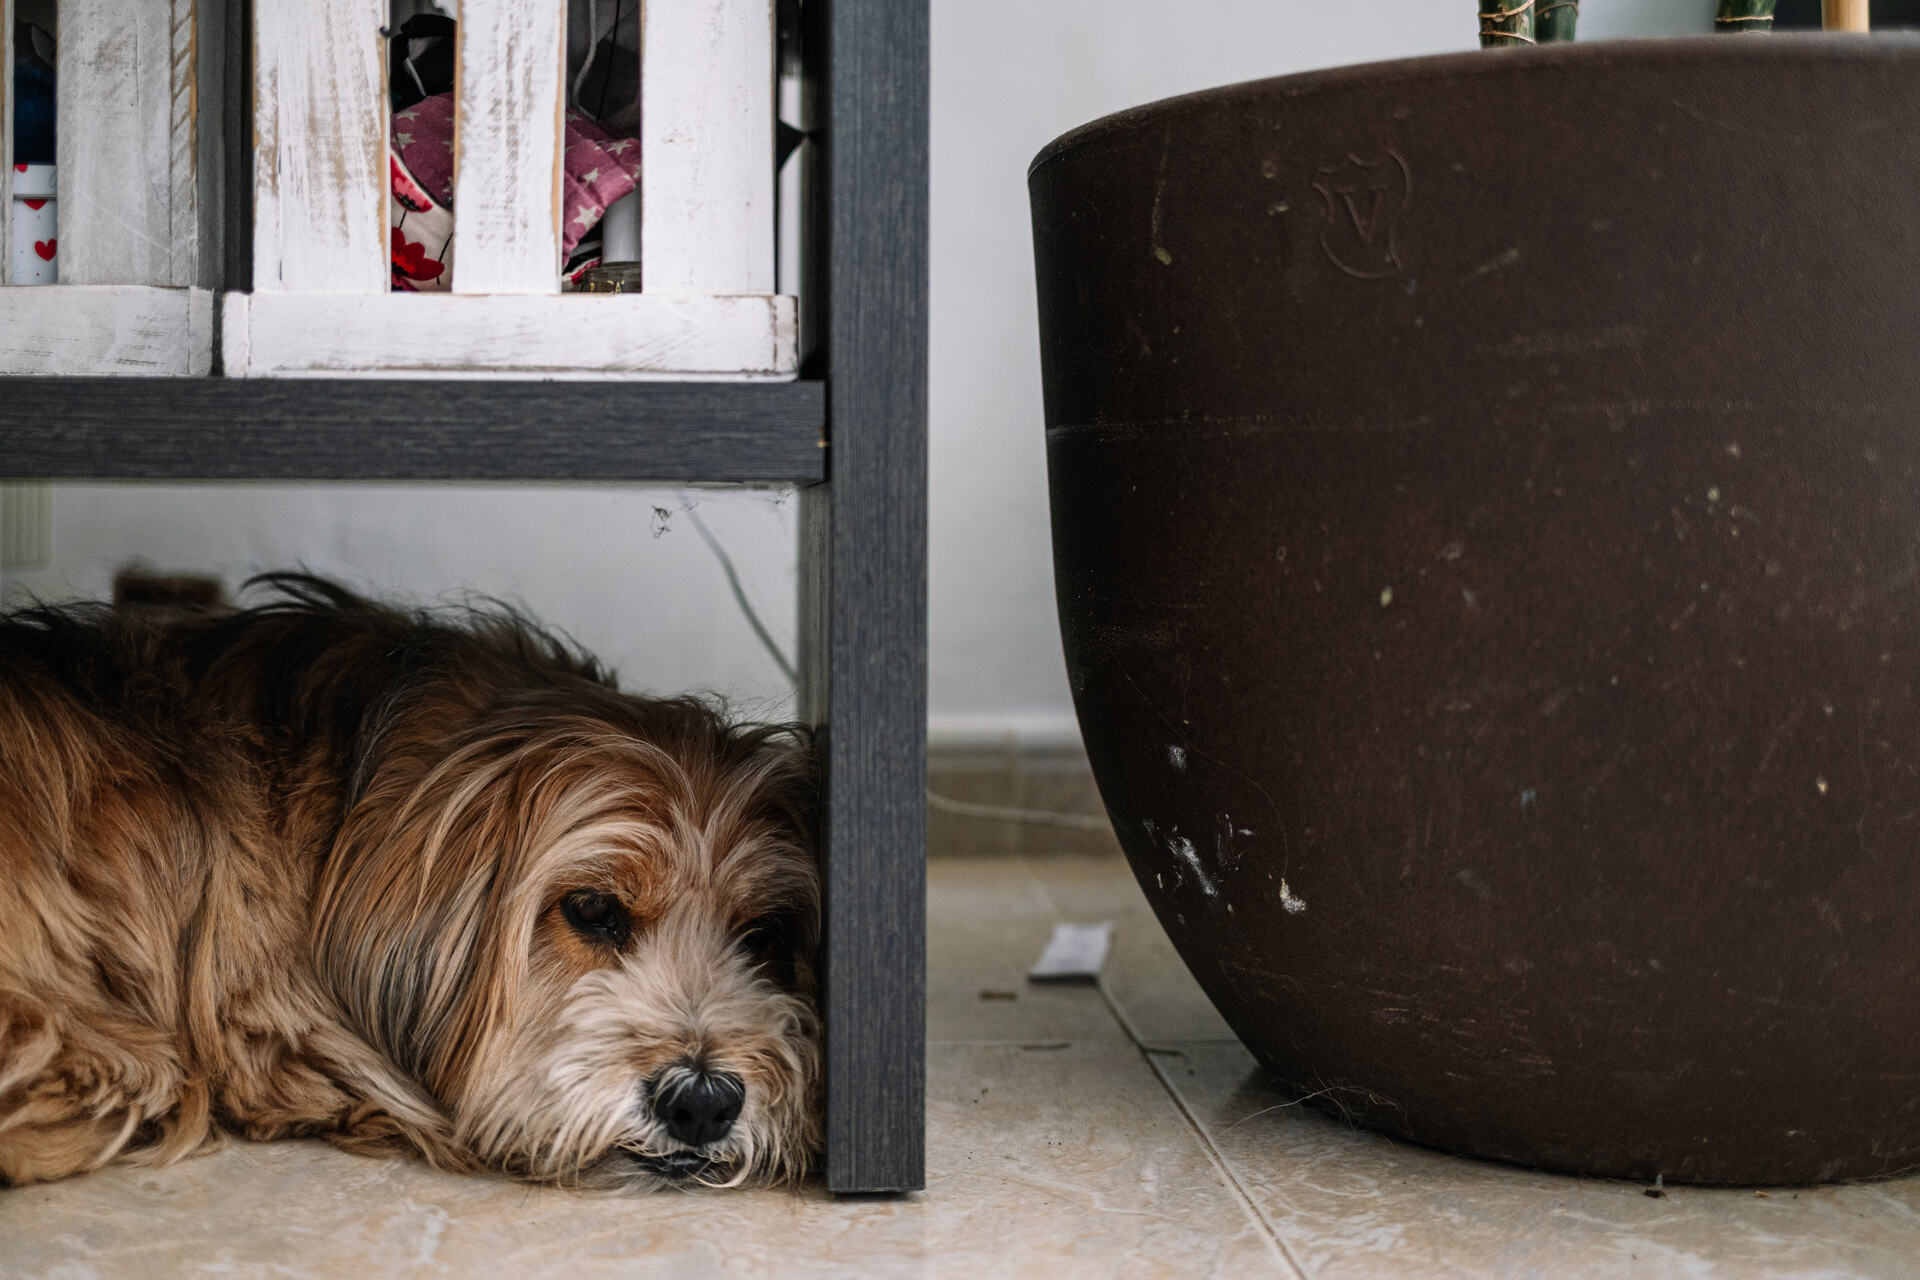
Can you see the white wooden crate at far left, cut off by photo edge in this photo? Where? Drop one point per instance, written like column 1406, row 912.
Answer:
column 137, row 199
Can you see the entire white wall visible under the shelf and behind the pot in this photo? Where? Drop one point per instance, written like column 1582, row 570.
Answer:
column 1009, row 76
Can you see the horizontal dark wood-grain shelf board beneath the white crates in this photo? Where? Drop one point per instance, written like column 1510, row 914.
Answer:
column 350, row 429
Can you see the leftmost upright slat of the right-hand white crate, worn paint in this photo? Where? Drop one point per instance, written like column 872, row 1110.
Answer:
column 320, row 154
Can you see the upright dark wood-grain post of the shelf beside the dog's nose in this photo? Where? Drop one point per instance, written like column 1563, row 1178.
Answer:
column 865, row 592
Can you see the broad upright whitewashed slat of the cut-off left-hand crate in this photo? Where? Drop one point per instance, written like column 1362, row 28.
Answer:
column 128, row 183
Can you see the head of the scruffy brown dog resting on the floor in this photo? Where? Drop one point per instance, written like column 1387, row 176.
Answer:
column 585, row 924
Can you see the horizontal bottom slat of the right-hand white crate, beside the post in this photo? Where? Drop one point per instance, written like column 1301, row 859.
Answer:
column 481, row 337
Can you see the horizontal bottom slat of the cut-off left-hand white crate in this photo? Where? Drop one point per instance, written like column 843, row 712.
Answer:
column 107, row 329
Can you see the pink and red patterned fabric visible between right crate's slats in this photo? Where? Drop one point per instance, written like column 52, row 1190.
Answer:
column 598, row 170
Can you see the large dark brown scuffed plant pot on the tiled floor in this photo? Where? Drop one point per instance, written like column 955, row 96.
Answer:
column 1487, row 521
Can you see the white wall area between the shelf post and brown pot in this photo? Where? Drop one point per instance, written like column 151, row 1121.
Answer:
column 1009, row 76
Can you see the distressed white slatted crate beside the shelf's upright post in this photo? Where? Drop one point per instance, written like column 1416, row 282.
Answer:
column 322, row 298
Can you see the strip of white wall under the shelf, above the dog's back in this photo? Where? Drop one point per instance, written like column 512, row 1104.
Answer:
column 623, row 571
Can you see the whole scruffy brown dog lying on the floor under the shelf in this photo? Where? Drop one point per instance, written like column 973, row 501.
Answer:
column 408, row 882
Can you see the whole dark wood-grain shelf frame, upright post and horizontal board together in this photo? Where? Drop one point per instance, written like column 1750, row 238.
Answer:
column 853, row 433
